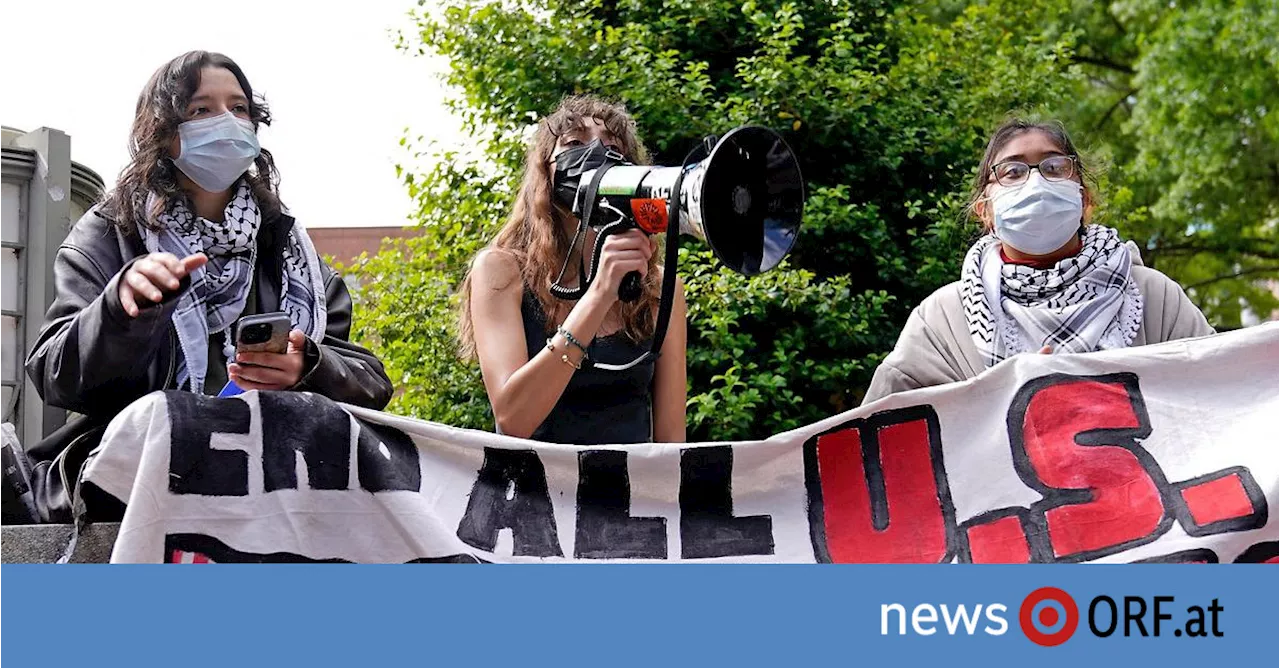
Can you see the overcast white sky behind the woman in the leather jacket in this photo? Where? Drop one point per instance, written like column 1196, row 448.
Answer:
column 339, row 89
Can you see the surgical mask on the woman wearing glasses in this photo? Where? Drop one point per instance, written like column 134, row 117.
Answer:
column 1039, row 217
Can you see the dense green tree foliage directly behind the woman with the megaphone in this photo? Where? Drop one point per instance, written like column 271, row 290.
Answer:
column 888, row 104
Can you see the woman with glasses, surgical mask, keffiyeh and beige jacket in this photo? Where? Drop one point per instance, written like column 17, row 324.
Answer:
column 1043, row 280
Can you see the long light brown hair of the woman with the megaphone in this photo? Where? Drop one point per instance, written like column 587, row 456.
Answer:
column 536, row 236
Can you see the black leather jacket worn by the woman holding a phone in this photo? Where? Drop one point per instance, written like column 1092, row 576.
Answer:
column 93, row 359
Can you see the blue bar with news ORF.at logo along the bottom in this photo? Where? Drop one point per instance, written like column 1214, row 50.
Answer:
column 638, row 615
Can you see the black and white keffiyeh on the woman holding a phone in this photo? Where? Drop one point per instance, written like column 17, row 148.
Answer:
column 221, row 289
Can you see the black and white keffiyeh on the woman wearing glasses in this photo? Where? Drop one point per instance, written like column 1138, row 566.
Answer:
column 1086, row 303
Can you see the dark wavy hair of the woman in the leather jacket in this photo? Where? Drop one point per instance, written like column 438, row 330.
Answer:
column 162, row 108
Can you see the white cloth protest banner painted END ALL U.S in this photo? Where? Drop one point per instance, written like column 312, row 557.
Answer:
column 1162, row 454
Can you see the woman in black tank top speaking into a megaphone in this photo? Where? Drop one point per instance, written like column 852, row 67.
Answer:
column 545, row 358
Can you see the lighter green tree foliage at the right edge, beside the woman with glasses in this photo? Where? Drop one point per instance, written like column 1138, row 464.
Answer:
column 1186, row 100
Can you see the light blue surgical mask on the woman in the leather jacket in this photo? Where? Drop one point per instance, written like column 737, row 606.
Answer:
column 217, row 152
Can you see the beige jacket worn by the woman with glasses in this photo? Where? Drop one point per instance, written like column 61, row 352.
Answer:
column 936, row 349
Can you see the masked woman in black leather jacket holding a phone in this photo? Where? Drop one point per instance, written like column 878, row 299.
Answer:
column 152, row 282
